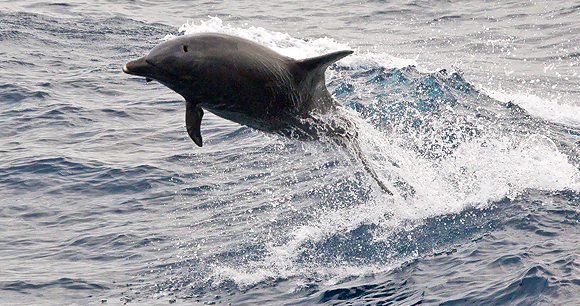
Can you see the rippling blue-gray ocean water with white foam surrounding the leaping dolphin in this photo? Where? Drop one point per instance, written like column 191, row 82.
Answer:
column 469, row 111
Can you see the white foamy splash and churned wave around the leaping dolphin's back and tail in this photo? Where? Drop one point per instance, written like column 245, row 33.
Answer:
column 445, row 147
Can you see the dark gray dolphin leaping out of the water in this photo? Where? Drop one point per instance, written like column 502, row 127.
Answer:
column 250, row 84
